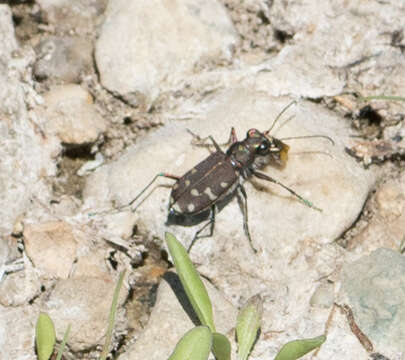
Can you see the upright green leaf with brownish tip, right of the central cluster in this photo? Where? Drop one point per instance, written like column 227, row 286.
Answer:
column 248, row 324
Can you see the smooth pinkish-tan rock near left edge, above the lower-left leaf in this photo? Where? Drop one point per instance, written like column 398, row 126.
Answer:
column 45, row 242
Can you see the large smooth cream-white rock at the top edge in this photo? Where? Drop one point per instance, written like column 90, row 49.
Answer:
column 159, row 44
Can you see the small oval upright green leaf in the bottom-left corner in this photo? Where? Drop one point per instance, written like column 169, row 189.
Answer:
column 44, row 336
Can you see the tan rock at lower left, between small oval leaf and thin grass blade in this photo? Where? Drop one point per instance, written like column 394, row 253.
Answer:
column 85, row 304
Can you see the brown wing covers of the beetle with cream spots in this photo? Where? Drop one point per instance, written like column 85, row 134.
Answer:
column 204, row 185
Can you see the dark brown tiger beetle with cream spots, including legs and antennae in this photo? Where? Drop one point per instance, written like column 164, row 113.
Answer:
column 210, row 185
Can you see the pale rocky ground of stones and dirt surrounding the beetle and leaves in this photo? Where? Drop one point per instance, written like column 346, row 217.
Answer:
column 96, row 98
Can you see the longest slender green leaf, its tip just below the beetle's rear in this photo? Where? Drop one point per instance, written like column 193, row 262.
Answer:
column 192, row 284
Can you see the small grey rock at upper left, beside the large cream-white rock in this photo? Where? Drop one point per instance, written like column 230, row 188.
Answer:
column 63, row 58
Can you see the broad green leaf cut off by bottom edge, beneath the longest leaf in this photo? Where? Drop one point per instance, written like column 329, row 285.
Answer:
column 194, row 345
